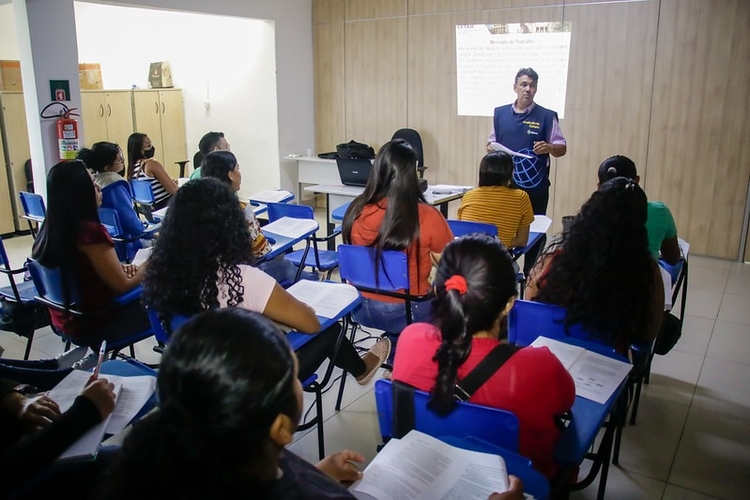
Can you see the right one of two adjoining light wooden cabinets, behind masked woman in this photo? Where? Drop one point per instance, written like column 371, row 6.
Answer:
column 160, row 114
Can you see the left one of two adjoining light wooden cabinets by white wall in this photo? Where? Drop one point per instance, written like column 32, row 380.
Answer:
column 107, row 116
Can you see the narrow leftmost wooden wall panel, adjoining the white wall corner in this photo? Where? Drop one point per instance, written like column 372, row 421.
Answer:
column 328, row 46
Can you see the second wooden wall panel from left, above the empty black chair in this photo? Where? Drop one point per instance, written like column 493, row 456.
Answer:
column 375, row 79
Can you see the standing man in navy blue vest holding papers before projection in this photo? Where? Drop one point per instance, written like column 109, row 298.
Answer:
column 527, row 128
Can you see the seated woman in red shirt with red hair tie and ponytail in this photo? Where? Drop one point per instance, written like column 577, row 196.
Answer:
column 474, row 292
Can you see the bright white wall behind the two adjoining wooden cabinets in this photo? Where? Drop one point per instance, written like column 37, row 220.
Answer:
column 240, row 92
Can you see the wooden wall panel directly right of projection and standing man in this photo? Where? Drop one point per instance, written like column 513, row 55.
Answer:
column 608, row 99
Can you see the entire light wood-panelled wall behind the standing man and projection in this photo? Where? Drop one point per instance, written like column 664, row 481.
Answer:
column 662, row 81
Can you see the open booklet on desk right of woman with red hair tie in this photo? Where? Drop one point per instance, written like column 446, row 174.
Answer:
column 596, row 376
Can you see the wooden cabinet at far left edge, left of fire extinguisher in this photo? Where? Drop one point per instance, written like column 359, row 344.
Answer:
column 17, row 152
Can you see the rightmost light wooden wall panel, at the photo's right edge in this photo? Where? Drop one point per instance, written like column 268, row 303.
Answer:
column 699, row 163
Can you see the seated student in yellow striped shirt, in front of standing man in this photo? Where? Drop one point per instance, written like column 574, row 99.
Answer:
column 497, row 201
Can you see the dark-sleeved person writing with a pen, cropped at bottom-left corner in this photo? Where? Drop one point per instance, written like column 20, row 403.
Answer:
column 33, row 433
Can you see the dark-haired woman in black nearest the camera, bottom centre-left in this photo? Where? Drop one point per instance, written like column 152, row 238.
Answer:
column 229, row 403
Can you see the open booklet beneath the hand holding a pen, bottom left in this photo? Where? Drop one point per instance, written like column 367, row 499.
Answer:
column 132, row 393
